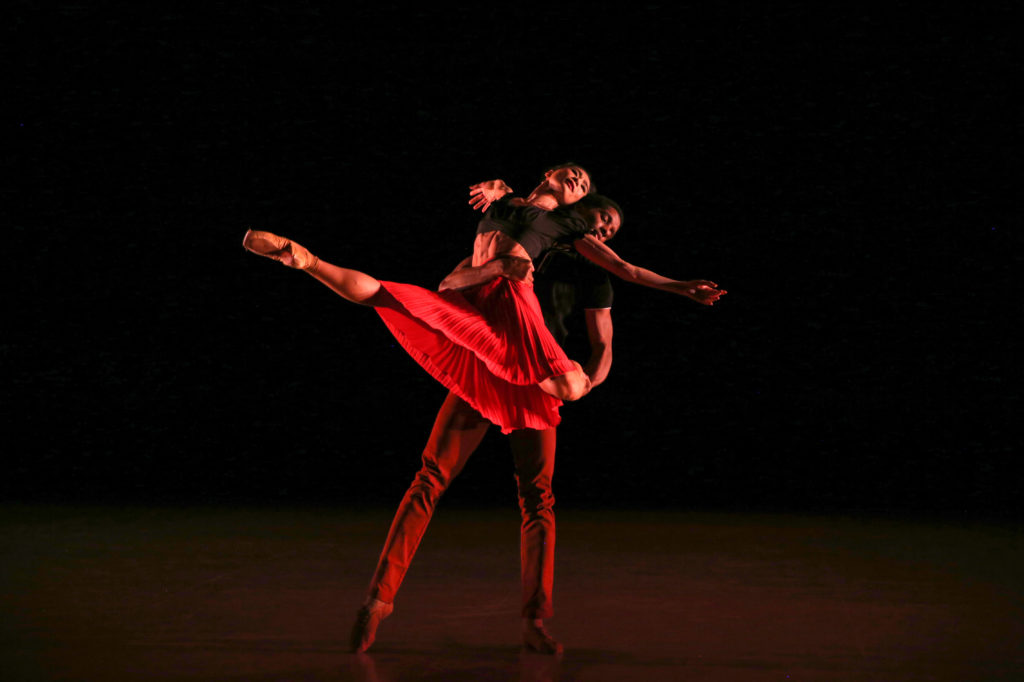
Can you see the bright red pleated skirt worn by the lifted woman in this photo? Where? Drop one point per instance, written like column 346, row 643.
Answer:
column 488, row 345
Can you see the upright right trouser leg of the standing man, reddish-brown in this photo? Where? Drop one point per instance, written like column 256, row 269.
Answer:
column 534, row 453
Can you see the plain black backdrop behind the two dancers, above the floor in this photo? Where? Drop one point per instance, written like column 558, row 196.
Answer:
column 846, row 176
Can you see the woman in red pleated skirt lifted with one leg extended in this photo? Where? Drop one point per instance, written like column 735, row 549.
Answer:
column 489, row 344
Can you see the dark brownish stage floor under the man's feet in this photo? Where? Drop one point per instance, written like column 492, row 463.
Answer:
column 99, row 594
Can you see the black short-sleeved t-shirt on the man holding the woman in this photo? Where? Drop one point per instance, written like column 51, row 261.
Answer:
column 567, row 284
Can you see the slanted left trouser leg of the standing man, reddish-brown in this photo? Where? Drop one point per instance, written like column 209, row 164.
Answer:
column 457, row 432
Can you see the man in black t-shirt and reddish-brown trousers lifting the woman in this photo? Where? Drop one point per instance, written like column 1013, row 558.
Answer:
column 566, row 282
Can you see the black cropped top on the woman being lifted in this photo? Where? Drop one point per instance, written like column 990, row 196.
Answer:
column 535, row 229
